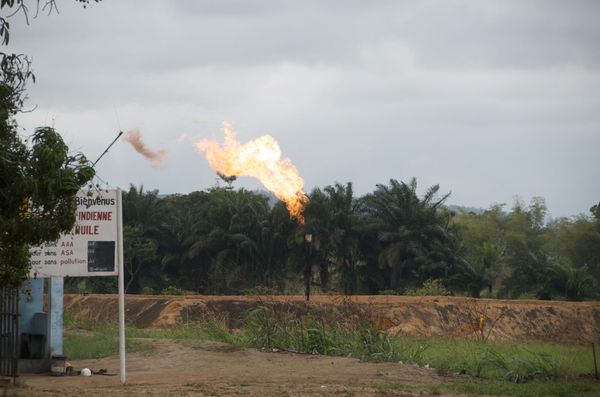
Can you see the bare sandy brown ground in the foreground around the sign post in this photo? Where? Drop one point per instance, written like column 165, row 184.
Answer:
column 200, row 368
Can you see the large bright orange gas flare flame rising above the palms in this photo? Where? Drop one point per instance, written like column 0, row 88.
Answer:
column 260, row 158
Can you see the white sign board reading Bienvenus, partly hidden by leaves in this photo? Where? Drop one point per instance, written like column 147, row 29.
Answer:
column 91, row 248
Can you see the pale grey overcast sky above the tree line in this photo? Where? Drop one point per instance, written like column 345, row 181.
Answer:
column 488, row 99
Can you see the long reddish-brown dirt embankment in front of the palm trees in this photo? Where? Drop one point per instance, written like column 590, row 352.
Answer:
column 563, row 322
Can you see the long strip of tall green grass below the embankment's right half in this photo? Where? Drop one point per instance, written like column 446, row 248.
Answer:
column 357, row 337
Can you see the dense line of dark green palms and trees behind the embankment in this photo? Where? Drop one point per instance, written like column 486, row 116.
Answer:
column 393, row 240
